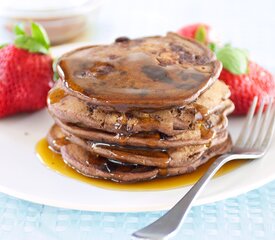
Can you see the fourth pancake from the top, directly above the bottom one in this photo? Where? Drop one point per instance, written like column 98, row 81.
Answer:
column 162, row 158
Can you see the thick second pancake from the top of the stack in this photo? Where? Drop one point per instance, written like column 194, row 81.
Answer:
column 70, row 109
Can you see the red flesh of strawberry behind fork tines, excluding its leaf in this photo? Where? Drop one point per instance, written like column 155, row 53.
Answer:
column 257, row 82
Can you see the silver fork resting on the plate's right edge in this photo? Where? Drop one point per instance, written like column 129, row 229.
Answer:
column 252, row 143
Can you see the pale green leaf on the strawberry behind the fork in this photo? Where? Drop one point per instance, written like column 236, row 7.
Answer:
column 234, row 60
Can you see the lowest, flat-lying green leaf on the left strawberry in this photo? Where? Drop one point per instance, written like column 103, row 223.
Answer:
column 30, row 44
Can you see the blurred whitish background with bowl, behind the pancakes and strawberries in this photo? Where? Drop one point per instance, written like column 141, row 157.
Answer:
column 247, row 24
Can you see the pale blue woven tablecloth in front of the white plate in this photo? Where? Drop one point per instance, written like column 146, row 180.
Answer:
column 250, row 216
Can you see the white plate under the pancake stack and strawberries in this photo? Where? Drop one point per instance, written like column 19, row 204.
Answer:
column 22, row 175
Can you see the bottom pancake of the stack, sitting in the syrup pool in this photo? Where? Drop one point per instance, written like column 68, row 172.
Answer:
column 95, row 166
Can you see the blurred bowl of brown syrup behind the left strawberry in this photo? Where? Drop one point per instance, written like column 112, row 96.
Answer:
column 62, row 19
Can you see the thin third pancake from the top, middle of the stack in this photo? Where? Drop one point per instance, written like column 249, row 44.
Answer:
column 202, row 133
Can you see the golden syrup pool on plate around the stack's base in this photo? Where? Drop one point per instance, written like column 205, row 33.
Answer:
column 54, row 161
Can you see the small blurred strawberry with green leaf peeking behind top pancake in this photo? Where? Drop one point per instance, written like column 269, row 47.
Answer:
column 198, row 31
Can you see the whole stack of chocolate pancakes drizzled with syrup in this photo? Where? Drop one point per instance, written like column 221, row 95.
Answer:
column 139, row 109
